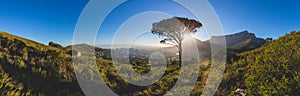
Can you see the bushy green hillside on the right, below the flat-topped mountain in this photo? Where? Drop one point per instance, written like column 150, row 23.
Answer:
column 273, row 69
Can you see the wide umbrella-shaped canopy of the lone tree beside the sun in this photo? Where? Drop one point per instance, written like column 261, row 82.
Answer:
column 172, row 30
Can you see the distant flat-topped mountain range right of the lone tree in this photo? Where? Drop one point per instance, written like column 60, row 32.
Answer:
column 238, row 42
